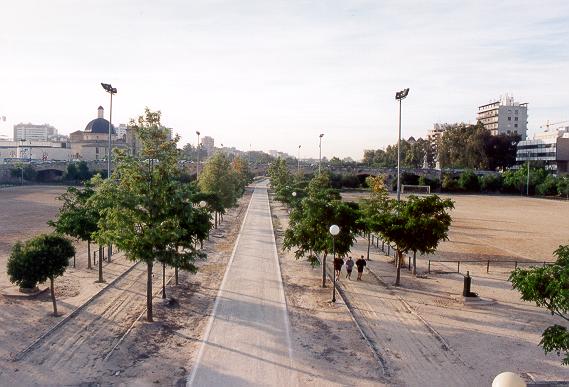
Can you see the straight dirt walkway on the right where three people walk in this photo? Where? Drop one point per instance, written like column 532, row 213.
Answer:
column 414, row 354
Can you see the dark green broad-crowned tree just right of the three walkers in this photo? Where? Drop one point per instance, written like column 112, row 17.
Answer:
column 418, row 224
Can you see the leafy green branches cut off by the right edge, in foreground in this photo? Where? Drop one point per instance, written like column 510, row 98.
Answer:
column 548, row 288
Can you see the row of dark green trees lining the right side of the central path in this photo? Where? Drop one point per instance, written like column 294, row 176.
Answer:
column 415, row 225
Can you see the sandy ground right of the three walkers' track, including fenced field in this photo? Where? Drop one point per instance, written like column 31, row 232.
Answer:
column 500, row 332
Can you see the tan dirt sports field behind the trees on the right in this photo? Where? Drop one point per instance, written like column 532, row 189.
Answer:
column 498, row 227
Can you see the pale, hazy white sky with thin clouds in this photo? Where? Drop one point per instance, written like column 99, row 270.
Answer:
column 275, row 74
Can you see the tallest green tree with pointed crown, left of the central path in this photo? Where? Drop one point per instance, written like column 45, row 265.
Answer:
column 141, row 193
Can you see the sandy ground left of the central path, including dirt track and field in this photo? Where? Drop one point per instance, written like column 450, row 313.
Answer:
column 81, row 350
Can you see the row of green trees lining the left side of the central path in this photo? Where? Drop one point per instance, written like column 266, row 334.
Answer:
column 144, row 209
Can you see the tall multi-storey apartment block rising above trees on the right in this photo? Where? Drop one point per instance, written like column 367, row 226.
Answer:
column 504, row 116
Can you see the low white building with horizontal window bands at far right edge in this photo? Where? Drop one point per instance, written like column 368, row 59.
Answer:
column 551, row 147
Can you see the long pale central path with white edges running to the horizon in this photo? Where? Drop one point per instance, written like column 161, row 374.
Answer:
column 247, row 342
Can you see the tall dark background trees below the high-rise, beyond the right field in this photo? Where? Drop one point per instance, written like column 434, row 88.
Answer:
column 460, row 146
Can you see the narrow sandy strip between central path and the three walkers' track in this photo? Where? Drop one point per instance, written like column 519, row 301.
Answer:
column 327, row 346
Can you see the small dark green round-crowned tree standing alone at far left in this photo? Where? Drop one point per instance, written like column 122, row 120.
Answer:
column 39, row 259
